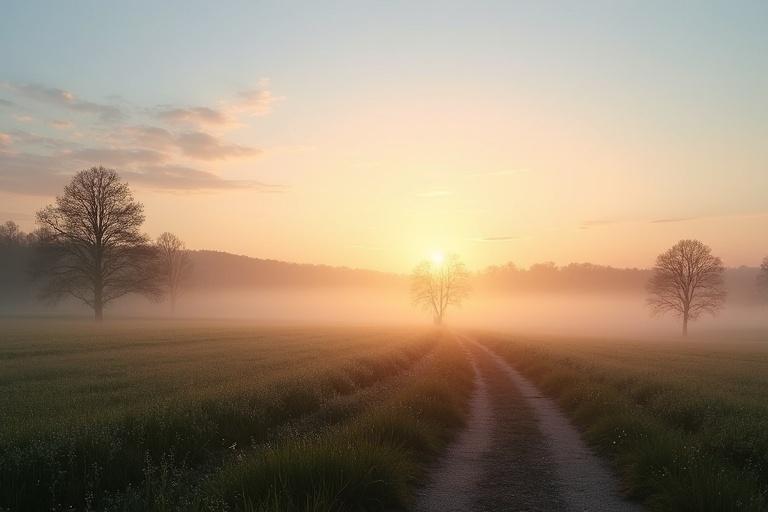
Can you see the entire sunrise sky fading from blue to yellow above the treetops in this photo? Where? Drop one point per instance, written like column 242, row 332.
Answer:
column 371, row 134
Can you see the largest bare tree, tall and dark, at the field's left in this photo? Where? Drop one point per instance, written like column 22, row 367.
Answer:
column 92, row 248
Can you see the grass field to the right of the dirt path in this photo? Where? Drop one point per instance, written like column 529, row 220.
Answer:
column 686, row 423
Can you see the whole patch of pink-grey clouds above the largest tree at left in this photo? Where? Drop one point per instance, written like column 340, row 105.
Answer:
column 163, row 157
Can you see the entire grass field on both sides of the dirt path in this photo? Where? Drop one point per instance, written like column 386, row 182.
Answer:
column 201, row 416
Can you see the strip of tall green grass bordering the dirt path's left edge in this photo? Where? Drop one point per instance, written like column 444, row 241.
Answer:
column 369, row 463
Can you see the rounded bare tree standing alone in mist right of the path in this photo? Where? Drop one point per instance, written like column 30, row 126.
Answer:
column 687, row 281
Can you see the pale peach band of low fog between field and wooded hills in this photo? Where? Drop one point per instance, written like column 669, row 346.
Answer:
column 573, row 314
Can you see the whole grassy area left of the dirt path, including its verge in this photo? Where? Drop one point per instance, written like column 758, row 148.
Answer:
column 162, row 416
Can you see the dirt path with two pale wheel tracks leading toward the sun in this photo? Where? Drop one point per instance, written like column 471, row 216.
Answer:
column 517, row 452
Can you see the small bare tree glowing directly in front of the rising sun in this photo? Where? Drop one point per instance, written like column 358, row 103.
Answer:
column 437, row 285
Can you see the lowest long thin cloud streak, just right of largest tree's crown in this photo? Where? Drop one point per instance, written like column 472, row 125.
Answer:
column 172, row 177
